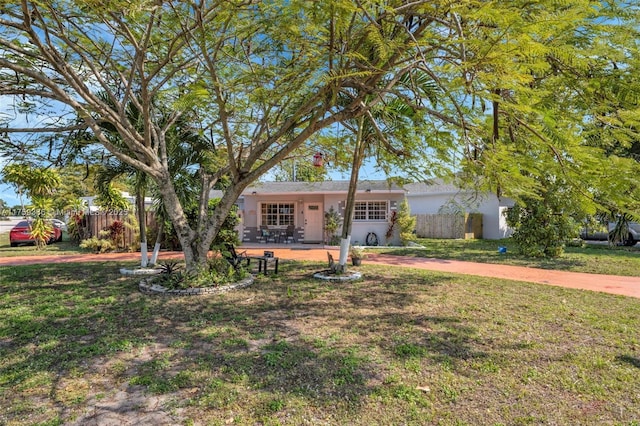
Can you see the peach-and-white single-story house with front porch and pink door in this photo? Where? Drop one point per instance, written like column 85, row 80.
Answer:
column 278, row 205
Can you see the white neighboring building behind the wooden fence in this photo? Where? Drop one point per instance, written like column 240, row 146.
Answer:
column 443, row 198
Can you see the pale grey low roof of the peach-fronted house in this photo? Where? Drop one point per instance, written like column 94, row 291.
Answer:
column 332, row 186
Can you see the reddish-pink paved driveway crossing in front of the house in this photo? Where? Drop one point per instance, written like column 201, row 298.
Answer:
column 626, row 286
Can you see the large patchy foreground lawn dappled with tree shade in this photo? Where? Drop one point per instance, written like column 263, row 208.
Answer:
column 79, row 343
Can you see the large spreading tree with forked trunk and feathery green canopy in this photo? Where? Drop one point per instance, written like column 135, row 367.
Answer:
column 261, row 78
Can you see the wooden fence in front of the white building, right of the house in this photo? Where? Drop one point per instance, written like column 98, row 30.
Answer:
column 449, row 226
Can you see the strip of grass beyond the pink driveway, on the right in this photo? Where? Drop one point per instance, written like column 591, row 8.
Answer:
column 589, row 258
